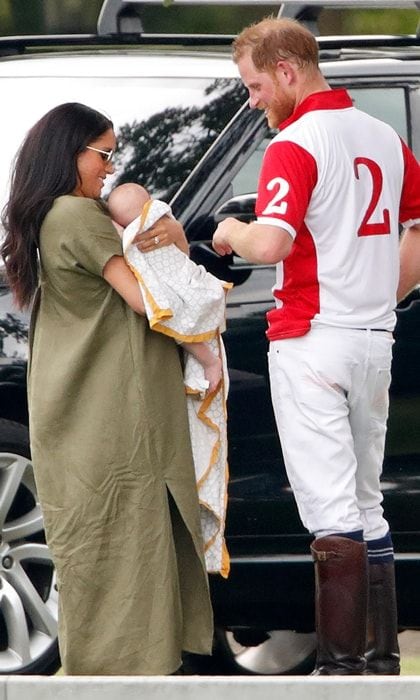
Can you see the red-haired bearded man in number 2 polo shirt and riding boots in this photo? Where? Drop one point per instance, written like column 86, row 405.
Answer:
column 334, row 185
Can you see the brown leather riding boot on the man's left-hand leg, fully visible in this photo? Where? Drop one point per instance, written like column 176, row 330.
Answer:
column 341, row 596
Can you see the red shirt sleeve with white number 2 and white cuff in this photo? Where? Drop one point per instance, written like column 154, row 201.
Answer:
column 287, row 179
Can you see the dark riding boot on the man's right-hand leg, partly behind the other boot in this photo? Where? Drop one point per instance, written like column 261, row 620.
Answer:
column 383, row 653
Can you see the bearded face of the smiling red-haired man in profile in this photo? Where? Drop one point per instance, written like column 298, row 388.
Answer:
column 267, row 91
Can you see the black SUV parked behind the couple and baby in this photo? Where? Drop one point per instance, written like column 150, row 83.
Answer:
column 177, row 102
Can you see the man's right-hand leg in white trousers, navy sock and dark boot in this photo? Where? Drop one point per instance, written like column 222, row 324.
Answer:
column 369, row 412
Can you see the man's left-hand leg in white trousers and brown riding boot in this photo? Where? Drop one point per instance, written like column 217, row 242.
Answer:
column 310, row 381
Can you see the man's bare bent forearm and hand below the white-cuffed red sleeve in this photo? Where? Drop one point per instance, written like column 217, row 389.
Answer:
column 258, row 243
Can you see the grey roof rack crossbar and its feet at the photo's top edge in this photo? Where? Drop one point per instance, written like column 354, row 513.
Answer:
column 119, row 17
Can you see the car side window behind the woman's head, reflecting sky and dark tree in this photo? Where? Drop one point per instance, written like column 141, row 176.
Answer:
column 163, row 124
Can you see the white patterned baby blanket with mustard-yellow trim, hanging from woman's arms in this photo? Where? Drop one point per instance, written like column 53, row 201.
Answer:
column 186, row 302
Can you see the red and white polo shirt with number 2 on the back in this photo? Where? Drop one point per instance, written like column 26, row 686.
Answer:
column 340, row 182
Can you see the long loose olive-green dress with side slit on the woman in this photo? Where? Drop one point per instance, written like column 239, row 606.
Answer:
column 113, row 462
